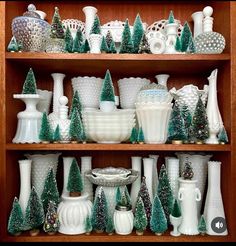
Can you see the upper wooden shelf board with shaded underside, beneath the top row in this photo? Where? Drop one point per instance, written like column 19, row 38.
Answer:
column 122, row 64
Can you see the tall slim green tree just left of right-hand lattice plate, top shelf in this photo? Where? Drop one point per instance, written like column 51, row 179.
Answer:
column 137, row 33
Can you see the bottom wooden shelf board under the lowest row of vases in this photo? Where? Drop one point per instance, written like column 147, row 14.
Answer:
column 103, row 237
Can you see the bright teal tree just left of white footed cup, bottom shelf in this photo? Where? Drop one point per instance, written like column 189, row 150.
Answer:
column 158, row 223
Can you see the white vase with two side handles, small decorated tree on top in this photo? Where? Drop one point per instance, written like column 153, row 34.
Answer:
column 188, row 196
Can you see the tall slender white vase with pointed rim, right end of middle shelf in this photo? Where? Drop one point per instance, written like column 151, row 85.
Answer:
column 212, row 110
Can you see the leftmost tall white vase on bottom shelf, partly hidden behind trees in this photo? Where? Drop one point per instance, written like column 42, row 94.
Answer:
column 25, row 183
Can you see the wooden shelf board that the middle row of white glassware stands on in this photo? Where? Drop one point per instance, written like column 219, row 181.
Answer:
column 121, row 147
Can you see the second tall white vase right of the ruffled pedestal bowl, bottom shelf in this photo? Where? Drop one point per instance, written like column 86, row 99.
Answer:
column 148, row 167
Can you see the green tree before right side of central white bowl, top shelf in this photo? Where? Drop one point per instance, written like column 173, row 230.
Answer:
column 126, row 41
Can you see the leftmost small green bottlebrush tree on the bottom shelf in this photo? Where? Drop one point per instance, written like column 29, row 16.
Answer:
column 16, row 219
